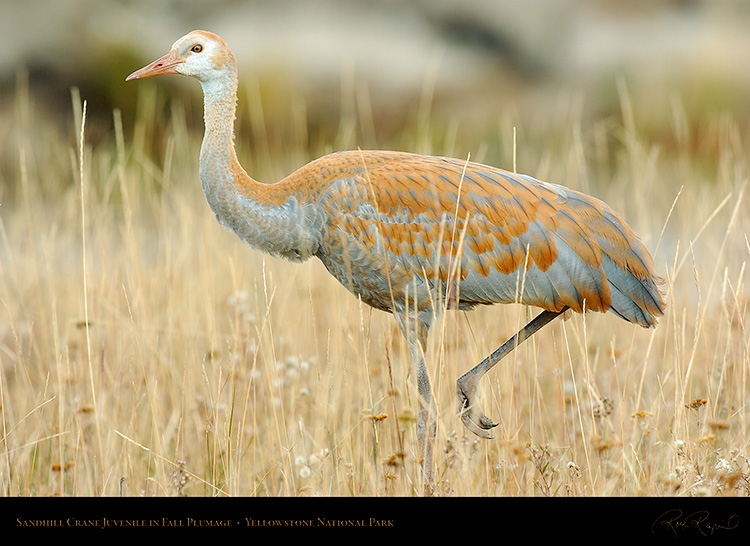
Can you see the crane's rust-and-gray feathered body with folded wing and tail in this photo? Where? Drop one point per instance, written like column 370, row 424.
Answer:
column 502, row 232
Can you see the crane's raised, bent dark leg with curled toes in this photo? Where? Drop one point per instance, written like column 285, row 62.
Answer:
column 466, row 385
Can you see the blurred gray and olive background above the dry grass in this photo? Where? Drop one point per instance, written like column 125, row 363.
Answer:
column 472, row 59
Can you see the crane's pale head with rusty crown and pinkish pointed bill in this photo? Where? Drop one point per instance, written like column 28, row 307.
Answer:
column 200, row 54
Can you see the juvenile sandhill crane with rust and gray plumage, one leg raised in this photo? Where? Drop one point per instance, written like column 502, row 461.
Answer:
column 413, row 235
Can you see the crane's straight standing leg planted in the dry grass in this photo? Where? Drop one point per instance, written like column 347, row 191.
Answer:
column 415, row 332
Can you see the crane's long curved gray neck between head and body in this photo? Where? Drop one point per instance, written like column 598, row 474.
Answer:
column 240, row 203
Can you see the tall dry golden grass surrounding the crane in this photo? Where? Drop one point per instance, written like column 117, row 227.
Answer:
column 146, row 352
